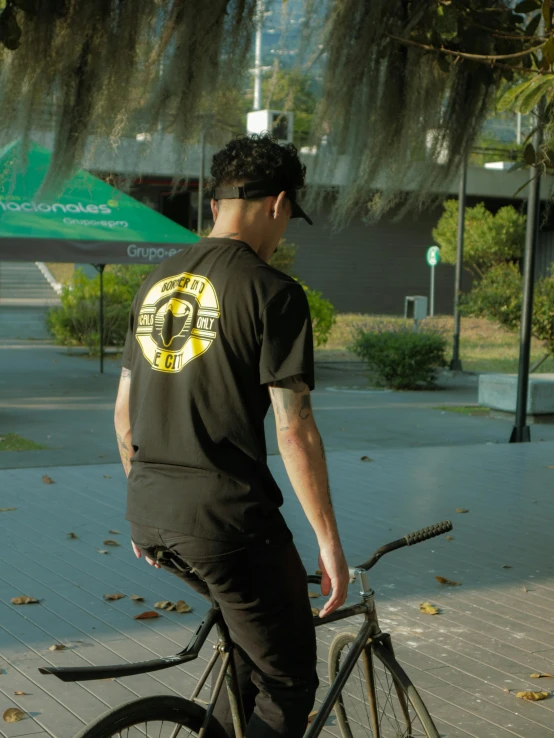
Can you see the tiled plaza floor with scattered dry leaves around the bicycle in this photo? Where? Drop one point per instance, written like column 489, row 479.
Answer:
column 493, row 631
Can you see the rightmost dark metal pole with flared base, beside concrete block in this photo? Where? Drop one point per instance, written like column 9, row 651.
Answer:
column 521, row 432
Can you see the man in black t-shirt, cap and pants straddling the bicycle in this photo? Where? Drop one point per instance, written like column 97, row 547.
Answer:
column 216, row 335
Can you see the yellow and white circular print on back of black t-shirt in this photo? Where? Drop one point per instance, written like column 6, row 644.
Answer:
column 177, row 321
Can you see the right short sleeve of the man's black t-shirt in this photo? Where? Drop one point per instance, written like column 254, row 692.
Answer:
column 287, row 340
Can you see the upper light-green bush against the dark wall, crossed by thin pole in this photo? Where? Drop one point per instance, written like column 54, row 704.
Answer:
column 489, row 239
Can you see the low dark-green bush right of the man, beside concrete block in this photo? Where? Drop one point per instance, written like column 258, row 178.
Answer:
column 401, row 358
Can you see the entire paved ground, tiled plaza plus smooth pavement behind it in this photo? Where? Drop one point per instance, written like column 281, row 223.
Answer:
column 493, row 631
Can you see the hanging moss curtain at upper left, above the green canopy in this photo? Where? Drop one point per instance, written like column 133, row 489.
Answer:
column 110, row 68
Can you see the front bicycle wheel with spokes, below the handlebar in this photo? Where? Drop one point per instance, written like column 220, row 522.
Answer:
column 392, row 674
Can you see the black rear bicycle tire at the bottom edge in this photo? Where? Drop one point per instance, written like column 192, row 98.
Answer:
column 157, row 709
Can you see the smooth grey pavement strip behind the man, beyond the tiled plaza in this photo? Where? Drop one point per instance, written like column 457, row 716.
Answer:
column 61, row 401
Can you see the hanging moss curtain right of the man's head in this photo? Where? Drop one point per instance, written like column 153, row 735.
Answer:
column 396, row 117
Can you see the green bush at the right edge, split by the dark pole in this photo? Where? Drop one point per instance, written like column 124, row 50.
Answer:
column 498, row 297
